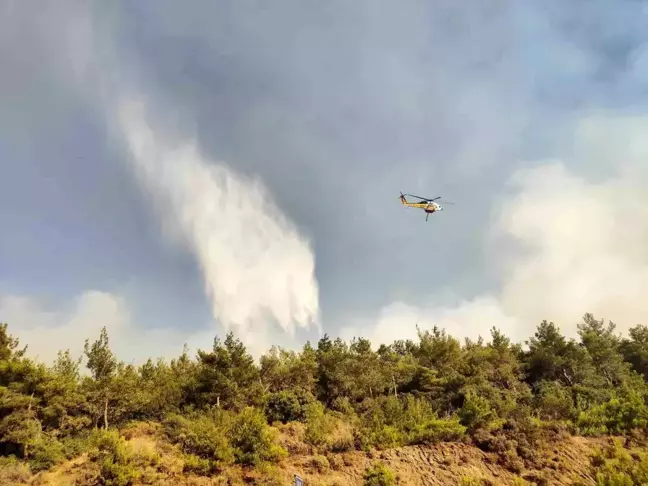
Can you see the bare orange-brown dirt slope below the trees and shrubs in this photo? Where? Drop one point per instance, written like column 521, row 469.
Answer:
column 442, row 464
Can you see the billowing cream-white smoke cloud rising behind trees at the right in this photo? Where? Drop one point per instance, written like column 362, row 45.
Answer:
column 563, row 245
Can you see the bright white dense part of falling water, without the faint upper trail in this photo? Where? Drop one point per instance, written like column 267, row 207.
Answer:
column 256, row 267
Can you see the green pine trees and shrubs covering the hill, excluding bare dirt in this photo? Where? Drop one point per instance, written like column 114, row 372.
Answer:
column 219, row 407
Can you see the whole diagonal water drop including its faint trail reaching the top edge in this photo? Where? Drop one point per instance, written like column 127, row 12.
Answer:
column 258, row 270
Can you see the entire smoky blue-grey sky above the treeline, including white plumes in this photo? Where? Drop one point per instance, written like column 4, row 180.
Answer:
column 173, row 171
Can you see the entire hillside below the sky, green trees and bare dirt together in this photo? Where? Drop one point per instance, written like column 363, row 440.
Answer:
column 434, row 411
